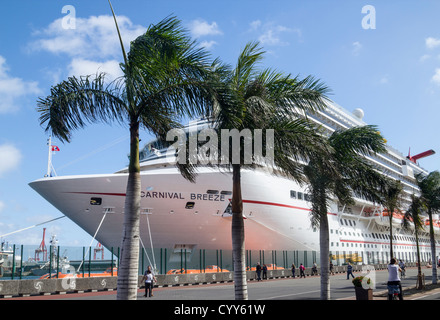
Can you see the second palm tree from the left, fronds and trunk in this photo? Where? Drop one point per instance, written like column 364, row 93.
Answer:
column 267, row 100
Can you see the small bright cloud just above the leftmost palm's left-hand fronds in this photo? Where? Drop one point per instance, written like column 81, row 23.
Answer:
column 83, row 67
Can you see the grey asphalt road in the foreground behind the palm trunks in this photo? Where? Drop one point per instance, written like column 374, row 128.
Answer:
column 286, row 289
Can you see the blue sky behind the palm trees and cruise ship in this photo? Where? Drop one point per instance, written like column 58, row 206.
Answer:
column 392, row 72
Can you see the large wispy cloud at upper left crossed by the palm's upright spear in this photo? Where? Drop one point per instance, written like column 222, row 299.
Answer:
column 94, row 37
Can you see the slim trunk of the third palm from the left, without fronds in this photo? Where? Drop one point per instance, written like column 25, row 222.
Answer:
column 324, row 255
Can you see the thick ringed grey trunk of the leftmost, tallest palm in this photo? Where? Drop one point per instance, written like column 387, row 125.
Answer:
column 129, row 260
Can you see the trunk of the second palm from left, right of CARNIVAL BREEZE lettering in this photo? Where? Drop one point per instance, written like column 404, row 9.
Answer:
column 238, row 248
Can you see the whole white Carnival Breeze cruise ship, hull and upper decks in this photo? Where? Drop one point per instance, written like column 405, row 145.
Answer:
column 178, row 214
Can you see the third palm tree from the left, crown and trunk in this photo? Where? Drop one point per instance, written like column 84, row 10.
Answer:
column 342, row 174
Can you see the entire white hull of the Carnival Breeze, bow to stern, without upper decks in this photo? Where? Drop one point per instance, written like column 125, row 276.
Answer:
column 274, row 221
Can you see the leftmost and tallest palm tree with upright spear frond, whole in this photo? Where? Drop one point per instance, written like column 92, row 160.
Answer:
column 164, row 75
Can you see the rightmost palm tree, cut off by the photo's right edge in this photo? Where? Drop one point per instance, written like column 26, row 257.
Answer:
column 430, row 193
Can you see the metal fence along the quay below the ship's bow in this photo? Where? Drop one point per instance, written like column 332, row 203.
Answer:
column 23, row 262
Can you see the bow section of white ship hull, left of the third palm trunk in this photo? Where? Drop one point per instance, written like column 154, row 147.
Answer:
column 273, row 219
